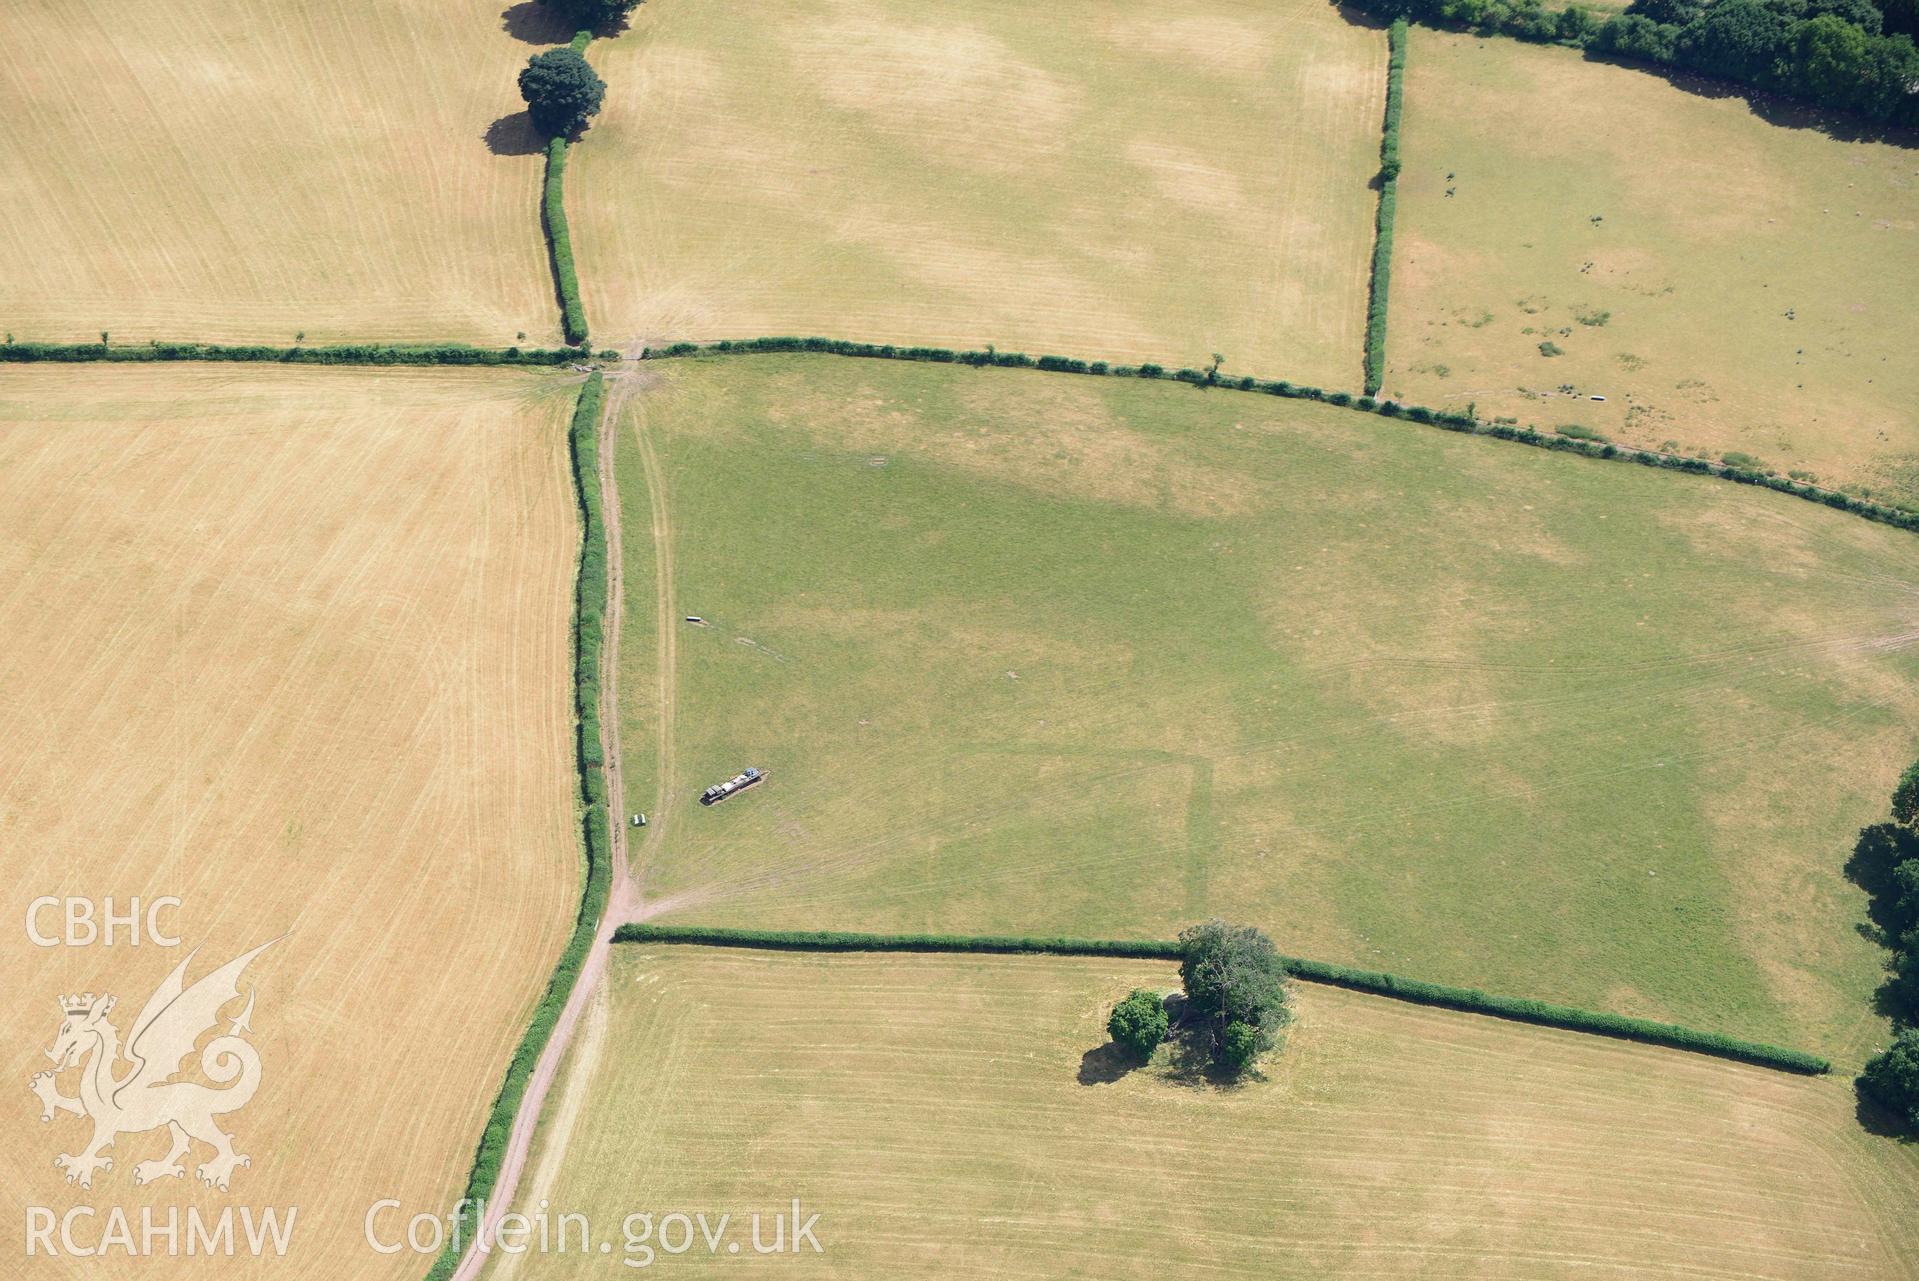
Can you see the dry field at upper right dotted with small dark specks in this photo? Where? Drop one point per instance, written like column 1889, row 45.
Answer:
column 1730, row 285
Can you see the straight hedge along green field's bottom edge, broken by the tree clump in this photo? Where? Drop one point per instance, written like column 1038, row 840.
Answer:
column 1419, row 992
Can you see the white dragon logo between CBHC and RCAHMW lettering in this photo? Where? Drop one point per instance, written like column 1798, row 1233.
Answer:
column 143, row 1098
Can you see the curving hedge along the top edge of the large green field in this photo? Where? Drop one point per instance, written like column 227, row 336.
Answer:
column 1298, row 392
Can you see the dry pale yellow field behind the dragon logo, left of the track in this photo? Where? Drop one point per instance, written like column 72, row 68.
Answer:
column 295, row 647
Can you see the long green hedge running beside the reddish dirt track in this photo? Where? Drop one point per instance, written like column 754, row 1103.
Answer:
column 590, row 620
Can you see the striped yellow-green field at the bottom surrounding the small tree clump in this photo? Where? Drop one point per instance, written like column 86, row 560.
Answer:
column 960, row 1117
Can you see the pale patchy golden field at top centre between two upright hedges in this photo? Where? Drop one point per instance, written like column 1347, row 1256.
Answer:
column 1089, row 177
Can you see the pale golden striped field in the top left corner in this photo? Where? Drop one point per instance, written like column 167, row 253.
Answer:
column 247, row 172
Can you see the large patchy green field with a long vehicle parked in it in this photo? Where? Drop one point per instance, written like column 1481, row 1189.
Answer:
column 1033, row 653
